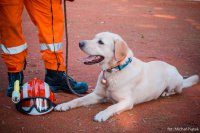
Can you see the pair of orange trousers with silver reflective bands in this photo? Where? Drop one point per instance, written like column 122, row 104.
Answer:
column 47, row 15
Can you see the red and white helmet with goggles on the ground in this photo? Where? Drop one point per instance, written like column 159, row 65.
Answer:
column 36, row 98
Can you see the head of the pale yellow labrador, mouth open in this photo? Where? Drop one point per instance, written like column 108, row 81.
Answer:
column 106, row 49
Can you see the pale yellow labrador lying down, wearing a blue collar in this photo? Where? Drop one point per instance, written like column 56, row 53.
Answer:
column 125, row 79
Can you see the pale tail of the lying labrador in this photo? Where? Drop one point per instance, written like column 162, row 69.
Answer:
column 190, row 81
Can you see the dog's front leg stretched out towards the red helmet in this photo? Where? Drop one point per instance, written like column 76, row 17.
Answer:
column 89, row 99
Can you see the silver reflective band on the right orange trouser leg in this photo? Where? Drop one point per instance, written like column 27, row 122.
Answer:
column 52, row 47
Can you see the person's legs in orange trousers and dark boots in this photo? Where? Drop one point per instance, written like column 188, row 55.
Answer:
column 47, row 15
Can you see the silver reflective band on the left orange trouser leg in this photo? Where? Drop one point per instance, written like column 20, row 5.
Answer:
column 14, row 50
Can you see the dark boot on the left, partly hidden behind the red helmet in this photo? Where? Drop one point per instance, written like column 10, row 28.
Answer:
column 12, row 77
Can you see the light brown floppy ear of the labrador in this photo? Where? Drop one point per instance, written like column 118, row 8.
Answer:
column 120, row 50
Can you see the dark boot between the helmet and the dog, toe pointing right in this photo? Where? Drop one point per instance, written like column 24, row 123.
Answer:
column 57, row 80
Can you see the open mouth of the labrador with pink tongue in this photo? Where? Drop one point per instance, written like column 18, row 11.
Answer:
column 92, row 59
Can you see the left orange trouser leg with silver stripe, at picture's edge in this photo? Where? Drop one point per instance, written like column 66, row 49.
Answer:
column 11, row 37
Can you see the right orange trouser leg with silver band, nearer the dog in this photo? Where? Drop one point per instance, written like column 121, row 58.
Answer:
column 41, row 15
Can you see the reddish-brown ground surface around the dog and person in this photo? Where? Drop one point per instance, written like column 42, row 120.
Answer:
column 155, row 30
